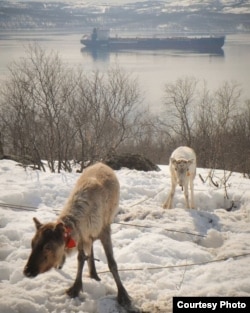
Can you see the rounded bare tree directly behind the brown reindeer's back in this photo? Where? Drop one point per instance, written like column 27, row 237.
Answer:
column 106, row 112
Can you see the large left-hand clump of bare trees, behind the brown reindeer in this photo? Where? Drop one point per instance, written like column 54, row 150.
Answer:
column 51, row 112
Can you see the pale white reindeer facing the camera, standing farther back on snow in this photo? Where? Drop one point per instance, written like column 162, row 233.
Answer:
column 182, row 166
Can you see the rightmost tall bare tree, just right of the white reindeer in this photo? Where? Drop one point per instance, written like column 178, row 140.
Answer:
column 217, row 114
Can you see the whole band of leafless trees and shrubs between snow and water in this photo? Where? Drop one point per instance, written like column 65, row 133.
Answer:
column 48, row 111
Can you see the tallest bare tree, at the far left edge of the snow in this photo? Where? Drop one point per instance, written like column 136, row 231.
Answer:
column 34, row 106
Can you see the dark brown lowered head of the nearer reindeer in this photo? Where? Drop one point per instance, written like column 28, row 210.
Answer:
column 47, row 248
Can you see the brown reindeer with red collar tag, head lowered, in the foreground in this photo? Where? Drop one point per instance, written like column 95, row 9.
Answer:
column 86, row 217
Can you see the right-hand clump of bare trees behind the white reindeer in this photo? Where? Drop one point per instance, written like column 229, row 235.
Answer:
column 210, row 122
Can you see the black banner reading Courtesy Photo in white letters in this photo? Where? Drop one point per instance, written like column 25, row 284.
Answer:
column 211, row 304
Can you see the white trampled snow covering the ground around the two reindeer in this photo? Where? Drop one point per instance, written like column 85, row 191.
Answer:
column 160, row 254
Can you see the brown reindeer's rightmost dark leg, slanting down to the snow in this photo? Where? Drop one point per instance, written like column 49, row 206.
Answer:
column 123, row 297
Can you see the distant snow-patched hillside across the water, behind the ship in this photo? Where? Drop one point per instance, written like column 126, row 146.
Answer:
column 209, row 16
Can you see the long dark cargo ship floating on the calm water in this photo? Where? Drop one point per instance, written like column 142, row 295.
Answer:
column 100, row 39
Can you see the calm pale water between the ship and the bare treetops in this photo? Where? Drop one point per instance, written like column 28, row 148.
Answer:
column 153, row 68
